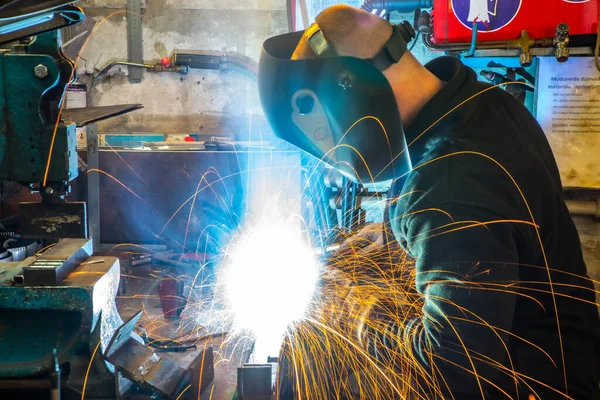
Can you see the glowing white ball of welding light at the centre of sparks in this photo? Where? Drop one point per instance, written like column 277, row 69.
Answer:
column 270, row 277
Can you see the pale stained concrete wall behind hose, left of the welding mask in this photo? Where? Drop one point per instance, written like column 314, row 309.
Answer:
column 201, row 102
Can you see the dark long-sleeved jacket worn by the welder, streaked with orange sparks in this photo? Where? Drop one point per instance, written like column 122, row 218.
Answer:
column 509, row 307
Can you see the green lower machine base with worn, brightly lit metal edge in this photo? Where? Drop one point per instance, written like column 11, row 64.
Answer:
column 72, row 317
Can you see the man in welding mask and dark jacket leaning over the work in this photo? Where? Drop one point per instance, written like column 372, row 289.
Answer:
column 509, row 311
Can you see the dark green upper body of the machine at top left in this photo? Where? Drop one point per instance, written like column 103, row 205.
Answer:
column 33, row 81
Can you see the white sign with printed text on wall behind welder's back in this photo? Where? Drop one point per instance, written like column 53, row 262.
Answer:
column 568, row 109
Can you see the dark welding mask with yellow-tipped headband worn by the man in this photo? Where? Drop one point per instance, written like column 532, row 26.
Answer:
column 341, row 110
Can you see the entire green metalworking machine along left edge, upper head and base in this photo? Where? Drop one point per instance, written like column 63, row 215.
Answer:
column 57, row 308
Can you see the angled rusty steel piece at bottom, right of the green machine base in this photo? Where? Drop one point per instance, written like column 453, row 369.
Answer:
column 147, row 369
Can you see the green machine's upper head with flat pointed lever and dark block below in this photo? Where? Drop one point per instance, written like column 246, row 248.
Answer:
column 38, row 144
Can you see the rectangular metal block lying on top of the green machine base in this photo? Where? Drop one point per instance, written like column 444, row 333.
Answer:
column 55, row 264
